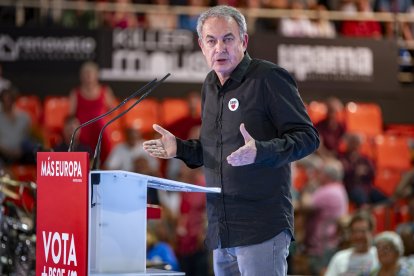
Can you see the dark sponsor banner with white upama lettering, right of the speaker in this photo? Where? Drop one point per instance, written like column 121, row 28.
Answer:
column 333, row 65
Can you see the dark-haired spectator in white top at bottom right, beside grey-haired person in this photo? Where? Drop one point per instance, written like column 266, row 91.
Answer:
column 361, row 258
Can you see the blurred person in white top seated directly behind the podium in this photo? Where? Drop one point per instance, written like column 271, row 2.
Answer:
column 123, row 155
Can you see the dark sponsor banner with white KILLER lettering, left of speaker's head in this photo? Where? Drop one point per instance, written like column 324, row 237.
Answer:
column 141, row 55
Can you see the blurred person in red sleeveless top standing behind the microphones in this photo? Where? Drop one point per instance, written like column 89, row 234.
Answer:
column 89, row 100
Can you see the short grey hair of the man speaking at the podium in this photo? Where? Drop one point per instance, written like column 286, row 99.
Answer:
column 223, row 12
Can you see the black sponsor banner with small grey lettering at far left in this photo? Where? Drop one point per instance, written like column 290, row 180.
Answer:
column 44, row 50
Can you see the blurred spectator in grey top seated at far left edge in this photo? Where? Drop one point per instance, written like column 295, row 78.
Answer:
column 16, row 144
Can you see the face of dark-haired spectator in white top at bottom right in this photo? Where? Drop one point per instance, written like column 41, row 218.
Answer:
column 361, row 236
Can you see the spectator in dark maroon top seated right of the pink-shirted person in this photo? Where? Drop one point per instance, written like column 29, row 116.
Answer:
column 359, row 174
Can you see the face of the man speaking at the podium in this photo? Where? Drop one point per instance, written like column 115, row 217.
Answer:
column 222, row 45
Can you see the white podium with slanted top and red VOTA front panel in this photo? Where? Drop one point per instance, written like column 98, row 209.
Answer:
column 94, row 222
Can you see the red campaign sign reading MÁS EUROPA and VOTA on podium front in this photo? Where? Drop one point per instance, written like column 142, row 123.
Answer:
column 62, row 213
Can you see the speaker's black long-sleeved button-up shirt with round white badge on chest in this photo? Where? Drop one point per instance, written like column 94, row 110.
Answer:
column 255, row 203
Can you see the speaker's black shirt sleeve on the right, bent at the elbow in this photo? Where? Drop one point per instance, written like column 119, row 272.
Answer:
column 297, row 137
